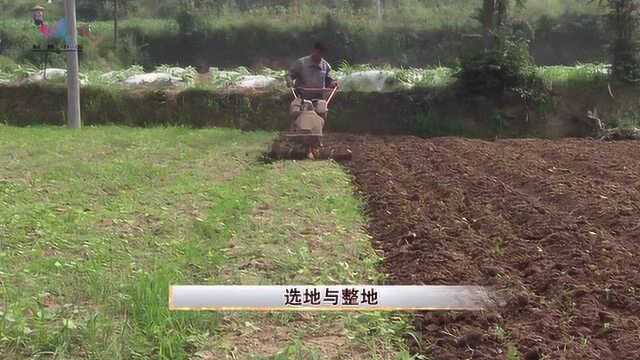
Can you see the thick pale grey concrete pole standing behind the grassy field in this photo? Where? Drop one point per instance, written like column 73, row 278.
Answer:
column 73, row 72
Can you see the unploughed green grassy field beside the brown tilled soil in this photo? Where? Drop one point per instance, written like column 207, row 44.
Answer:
column 95, row 225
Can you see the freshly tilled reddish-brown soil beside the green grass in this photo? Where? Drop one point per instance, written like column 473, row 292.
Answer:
column 553, row 225
